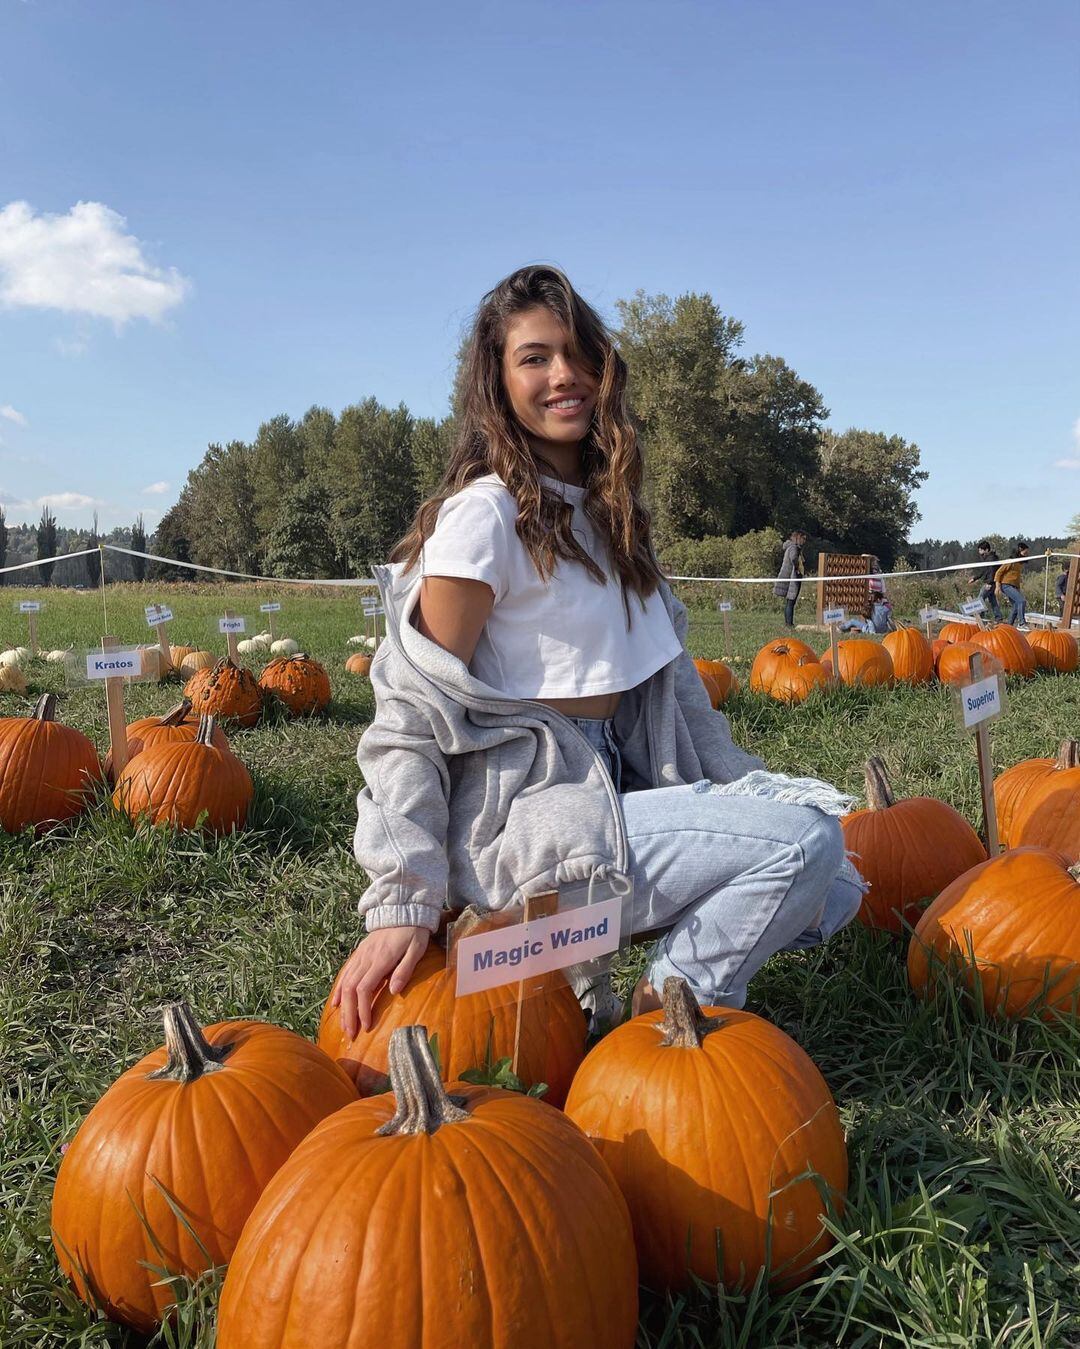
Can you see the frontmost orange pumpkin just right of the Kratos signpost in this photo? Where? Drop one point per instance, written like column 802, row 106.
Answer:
column 189, row 784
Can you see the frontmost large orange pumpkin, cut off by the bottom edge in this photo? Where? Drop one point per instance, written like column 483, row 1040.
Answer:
column 485, row 1219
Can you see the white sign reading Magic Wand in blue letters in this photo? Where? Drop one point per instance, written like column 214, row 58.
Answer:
column 524, row 950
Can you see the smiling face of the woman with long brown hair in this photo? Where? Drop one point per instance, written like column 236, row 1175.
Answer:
column 552, row 395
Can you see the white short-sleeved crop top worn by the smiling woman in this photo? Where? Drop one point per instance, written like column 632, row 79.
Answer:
column 563, row 639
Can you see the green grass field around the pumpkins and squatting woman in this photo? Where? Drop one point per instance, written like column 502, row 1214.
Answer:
column 963, row 1226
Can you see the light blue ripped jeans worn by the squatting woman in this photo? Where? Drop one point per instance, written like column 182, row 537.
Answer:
column 727, row 880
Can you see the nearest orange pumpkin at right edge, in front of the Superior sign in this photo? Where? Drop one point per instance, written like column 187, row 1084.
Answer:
column 1020, row 917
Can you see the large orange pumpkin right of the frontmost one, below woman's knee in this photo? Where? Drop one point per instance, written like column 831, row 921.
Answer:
column 711, row 1123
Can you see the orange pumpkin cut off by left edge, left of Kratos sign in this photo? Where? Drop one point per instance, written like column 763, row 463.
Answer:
column 48, row 771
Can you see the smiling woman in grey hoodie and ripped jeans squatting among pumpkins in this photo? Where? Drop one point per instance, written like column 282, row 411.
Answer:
column 540, row 724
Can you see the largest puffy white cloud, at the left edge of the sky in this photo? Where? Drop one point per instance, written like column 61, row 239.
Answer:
column 82, row 262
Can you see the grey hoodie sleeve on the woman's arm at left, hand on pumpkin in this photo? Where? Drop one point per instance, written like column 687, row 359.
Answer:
column 402, row 814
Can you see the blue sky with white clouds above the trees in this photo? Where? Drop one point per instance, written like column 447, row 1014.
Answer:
column 303, row 203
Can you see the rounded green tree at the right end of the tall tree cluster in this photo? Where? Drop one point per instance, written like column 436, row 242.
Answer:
column 862, row 498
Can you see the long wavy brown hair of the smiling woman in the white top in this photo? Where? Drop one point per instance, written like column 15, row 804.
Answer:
column 490, row 440
